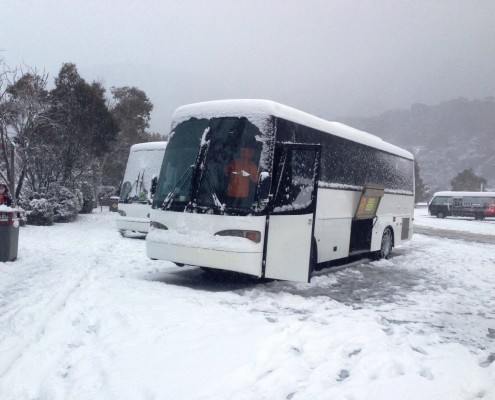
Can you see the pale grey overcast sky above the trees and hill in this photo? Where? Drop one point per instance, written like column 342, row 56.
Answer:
column 330, row 58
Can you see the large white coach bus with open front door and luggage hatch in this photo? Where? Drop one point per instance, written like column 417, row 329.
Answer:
column 260, row 188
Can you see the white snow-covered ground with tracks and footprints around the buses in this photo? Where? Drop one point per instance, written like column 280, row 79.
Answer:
column 85, row 315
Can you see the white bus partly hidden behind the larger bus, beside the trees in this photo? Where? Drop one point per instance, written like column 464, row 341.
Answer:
column 141, row 173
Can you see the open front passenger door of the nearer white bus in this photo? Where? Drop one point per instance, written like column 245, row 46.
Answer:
column 291, row 221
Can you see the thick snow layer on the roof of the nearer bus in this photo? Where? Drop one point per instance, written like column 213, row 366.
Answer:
column 254, row 109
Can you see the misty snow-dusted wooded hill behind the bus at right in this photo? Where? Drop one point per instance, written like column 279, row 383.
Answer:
column 445, row 139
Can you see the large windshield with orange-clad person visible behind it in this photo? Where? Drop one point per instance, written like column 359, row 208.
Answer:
column 211, row 165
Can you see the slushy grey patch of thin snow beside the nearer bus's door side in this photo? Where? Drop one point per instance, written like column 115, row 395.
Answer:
column 416, row 291
